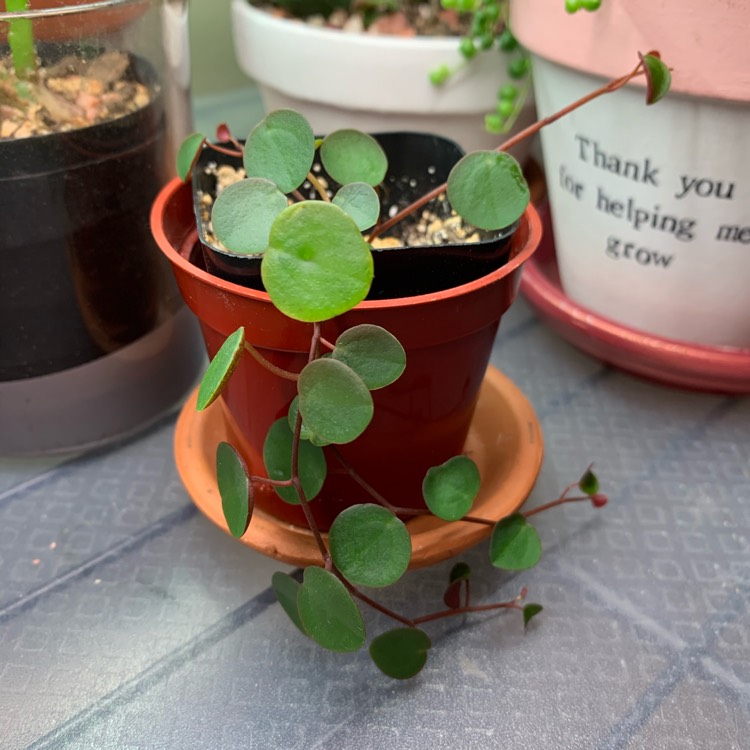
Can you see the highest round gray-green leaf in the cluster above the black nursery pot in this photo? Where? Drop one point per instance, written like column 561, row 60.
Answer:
column 280, row 148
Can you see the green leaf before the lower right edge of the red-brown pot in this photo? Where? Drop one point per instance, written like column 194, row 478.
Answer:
column 449, row 489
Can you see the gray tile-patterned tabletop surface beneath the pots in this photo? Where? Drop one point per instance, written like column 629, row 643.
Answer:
column 128, row 621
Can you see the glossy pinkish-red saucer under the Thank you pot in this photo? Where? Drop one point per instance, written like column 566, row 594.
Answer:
column 676, row 363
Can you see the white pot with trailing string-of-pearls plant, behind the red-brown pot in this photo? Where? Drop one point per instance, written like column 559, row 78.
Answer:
column 453, row 70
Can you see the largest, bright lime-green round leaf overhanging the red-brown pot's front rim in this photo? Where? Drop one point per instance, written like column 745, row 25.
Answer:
column 317, row 264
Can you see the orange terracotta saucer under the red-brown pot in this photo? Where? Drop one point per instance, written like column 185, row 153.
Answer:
column 505, row 440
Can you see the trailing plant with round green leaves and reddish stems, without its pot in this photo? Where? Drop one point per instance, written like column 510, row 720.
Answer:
column 316, row 264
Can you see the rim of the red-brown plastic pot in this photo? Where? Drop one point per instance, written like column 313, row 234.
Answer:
column 530, row 224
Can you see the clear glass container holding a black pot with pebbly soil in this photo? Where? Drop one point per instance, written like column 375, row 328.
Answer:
column 90, row 109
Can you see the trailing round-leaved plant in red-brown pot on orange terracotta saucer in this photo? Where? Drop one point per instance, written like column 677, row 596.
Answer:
column 311, row 383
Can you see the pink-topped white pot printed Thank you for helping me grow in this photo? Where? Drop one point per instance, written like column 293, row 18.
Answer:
column 650, row 204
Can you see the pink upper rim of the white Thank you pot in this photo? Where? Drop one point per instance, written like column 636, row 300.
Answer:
column 705, row 43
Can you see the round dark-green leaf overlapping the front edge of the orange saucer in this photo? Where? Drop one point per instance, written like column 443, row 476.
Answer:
column 369, row 545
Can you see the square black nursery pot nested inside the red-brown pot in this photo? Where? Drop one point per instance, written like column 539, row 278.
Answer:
column 417, row 162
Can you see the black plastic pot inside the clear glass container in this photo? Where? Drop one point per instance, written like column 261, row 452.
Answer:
column 80, row 276
